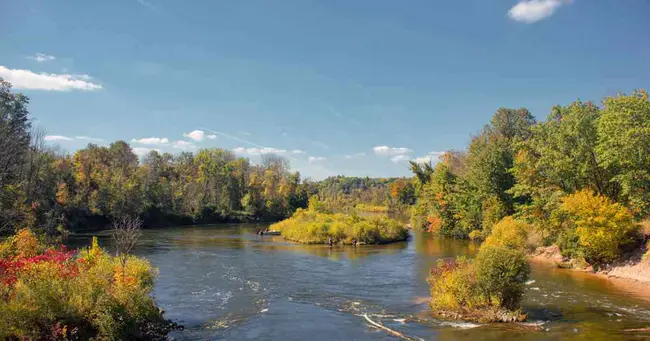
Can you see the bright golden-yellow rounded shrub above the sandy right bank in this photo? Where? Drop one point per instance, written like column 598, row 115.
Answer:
column 602, row 226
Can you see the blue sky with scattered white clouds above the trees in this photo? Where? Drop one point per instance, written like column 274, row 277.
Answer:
column 338, row 86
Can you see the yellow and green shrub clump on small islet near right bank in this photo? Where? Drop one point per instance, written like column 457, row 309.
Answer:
column 490, row 287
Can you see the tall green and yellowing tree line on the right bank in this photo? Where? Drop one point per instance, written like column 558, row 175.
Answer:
column 583, row 158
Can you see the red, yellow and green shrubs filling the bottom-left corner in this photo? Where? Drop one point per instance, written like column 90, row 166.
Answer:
column 54, row 293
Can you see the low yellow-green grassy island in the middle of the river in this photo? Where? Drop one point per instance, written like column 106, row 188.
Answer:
column 312, row 227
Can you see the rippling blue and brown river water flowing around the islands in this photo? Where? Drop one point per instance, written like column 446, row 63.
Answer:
column 224, row 282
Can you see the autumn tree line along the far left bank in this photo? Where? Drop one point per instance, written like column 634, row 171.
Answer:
column 44, row 188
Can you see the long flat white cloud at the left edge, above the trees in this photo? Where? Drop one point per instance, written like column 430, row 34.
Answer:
column 25, row 79
